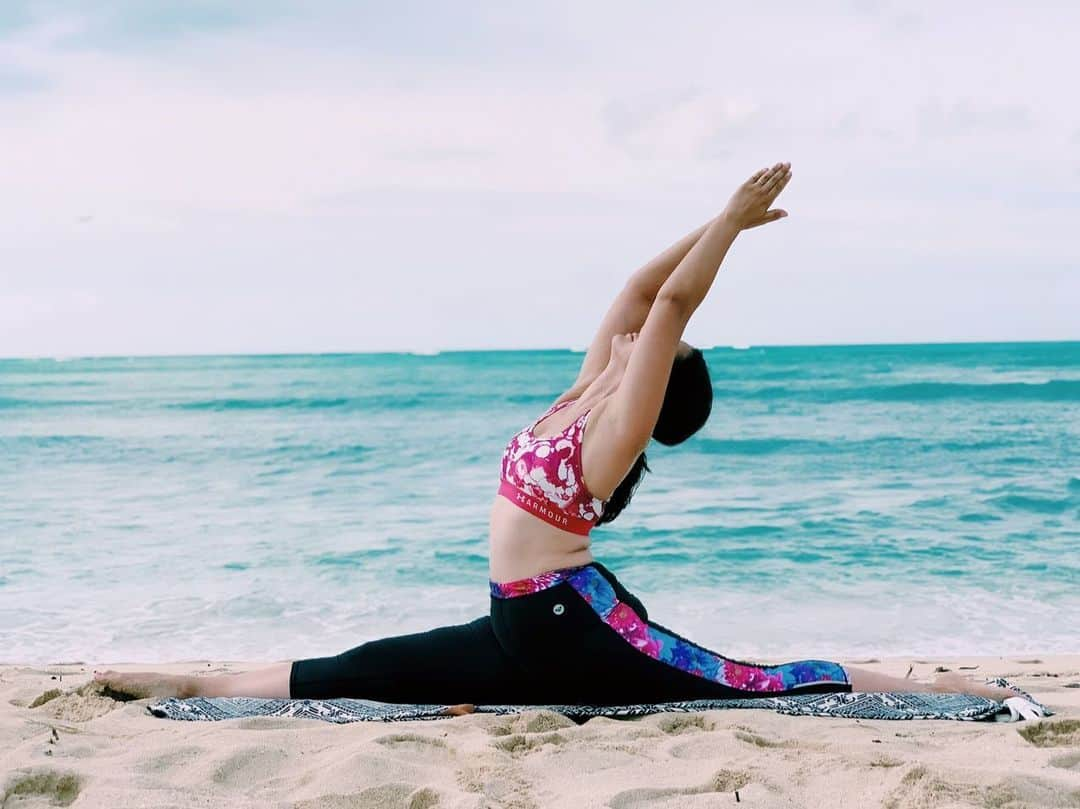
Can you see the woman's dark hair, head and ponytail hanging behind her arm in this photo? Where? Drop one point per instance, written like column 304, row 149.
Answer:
column 687, row 403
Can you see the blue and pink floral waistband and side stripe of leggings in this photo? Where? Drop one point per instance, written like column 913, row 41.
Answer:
column 668, row 649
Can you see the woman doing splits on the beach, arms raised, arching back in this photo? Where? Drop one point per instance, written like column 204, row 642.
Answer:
column 562, row 629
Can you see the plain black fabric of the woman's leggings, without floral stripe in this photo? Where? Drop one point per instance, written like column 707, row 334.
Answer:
column 548, row 648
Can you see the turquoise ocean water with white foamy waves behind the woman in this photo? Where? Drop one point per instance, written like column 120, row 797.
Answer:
column 841, row 502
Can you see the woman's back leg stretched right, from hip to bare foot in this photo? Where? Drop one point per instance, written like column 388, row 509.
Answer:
column 590, row 641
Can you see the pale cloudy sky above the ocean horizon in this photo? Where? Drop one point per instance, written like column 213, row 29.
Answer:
column 263, row 177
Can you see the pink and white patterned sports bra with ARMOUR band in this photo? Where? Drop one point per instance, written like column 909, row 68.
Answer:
column 544, row 476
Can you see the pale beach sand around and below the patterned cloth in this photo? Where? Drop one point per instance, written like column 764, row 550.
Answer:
column 86, row 750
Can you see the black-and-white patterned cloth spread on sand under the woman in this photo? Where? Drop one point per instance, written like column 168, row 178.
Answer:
column 863, row 706
